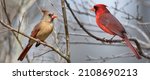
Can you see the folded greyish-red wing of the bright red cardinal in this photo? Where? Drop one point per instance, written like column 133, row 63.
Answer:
column 112, row 24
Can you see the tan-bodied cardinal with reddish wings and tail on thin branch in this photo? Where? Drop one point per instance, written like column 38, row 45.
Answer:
column 41, row 31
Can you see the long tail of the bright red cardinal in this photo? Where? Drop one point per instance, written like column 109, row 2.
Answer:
column 131, row 47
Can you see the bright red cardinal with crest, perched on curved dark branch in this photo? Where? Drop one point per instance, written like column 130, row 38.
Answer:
column 109, row 24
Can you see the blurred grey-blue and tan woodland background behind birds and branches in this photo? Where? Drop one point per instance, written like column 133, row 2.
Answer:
column 23, row 15
